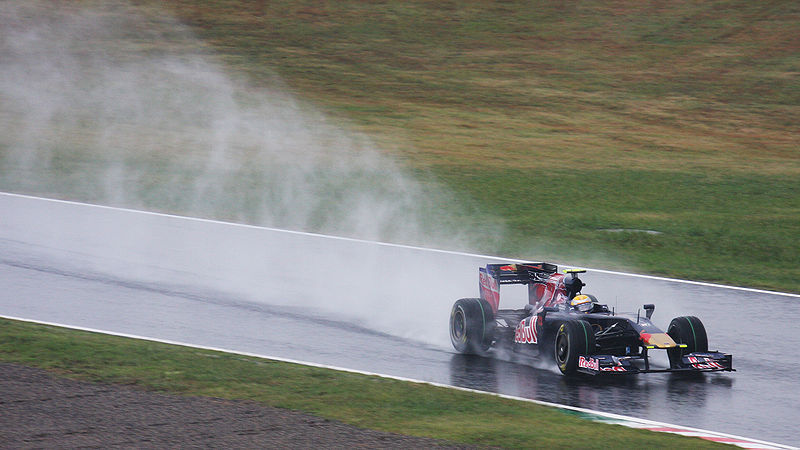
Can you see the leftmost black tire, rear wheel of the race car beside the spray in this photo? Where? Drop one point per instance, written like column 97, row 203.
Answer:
column 472, row 325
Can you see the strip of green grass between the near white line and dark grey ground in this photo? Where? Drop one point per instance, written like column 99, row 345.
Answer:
column 364, row 401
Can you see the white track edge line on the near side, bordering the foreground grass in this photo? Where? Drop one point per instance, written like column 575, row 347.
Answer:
column 620, row 417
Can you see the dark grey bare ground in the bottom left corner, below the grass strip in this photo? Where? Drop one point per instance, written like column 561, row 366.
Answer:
column 39, row 410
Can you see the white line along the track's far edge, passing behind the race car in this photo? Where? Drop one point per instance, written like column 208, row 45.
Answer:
column 410, row 247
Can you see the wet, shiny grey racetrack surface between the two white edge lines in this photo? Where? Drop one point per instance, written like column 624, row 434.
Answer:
column 375, row 308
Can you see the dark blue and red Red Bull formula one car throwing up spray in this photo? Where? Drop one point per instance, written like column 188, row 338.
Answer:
column 581, row 334
